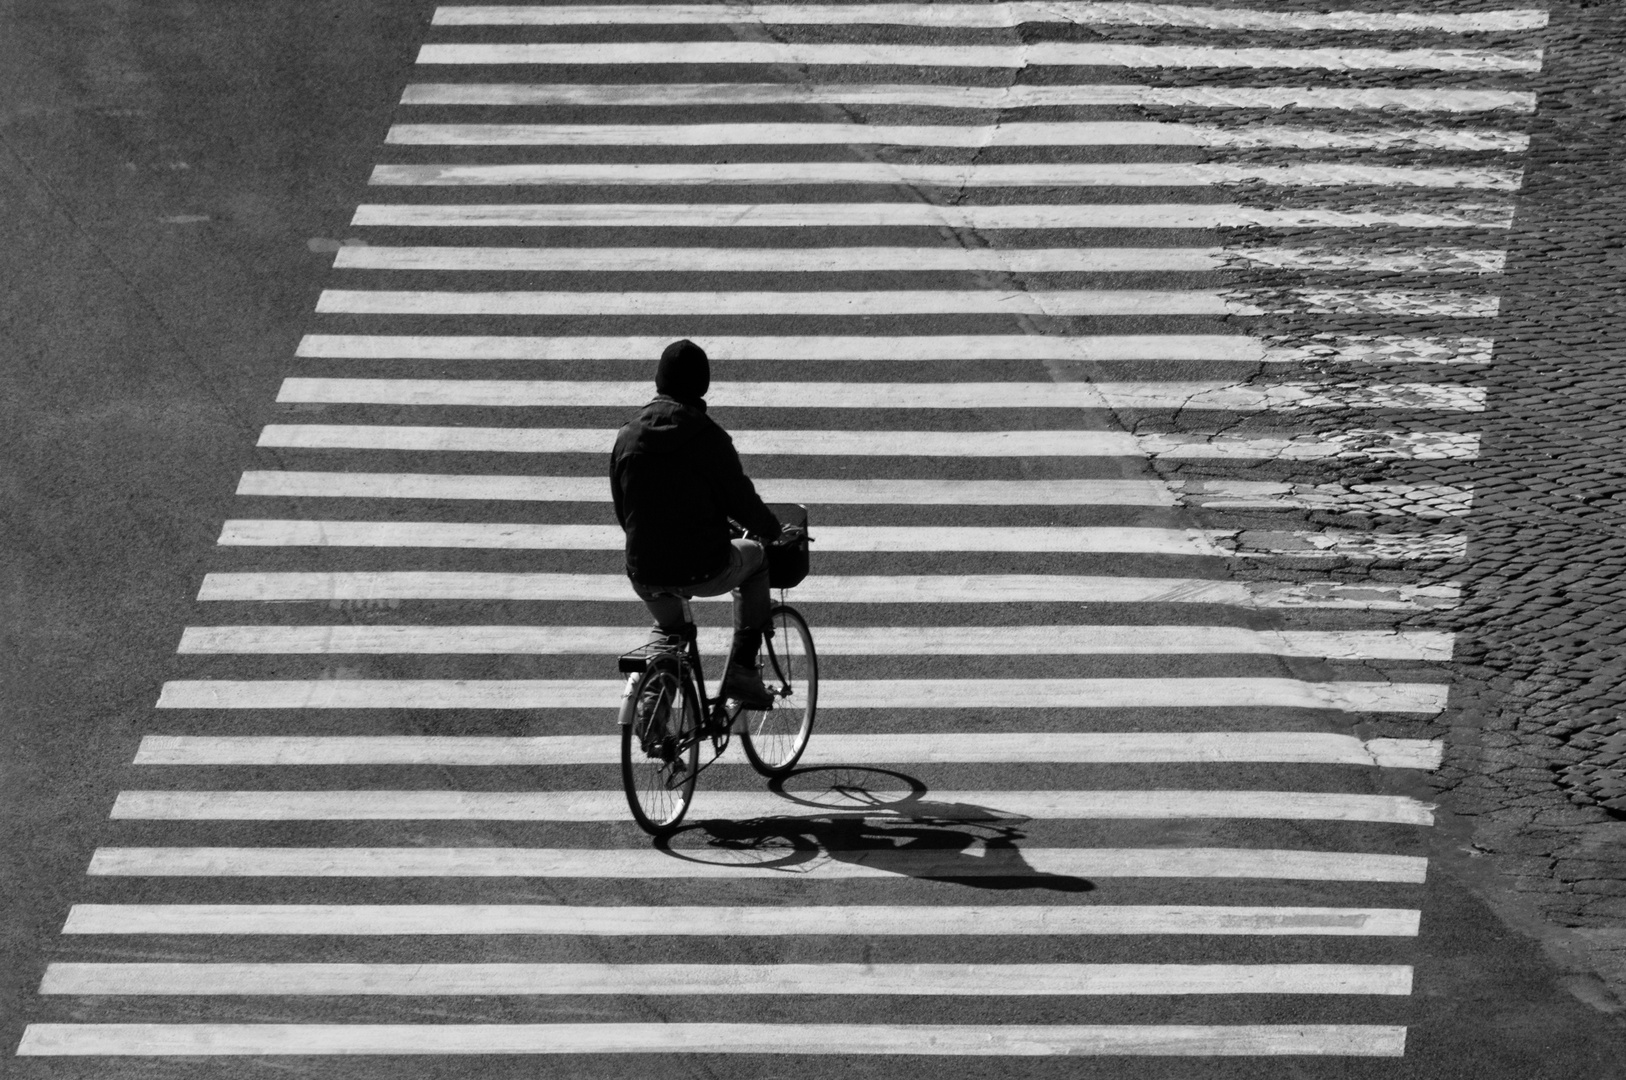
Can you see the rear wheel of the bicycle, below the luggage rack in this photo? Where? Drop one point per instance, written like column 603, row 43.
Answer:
column 661, row 746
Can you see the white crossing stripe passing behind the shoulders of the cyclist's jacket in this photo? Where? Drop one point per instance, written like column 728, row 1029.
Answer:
column 838, row 443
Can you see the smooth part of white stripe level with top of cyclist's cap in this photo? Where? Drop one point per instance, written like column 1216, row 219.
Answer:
column 1209, row 347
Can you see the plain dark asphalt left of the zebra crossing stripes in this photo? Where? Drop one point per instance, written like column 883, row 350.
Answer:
column 163, row 170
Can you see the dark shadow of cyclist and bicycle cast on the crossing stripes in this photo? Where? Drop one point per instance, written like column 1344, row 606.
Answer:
column 877, row 821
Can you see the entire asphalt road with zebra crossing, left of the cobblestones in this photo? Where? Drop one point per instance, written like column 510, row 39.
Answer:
column 310, row 725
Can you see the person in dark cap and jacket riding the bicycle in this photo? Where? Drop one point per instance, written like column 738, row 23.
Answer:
column 677, row 486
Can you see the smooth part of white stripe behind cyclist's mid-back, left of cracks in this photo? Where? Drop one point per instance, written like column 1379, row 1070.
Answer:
column 355, row 486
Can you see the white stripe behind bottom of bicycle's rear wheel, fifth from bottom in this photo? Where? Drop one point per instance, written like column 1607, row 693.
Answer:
column 611, row 806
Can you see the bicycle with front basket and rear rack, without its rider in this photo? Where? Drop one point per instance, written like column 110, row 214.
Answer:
column 667, row 716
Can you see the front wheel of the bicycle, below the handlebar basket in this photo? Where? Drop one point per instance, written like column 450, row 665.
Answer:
column 775, row 741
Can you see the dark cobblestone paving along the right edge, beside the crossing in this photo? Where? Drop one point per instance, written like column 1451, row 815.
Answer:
column 1539, row 742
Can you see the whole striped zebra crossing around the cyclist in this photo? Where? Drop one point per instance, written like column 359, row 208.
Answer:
column 1106, row 757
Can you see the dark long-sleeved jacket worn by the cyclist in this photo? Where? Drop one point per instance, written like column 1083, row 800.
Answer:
column 677, row 481
